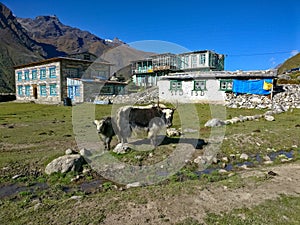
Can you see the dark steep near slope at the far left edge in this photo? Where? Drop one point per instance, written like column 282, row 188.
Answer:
column 16, row 47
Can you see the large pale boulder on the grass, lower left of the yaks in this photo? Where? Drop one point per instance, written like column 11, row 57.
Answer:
column 65, row 164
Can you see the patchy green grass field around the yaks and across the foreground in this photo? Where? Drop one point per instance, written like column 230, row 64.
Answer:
column 31, row 135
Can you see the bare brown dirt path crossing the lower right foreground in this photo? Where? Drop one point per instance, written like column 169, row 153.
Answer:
column 213, row 198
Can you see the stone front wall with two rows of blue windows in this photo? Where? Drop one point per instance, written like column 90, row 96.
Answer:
column 39, row 83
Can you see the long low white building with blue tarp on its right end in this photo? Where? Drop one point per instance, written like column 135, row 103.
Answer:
column 211, row 87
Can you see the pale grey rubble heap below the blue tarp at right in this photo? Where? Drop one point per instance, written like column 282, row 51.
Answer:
column 288, row 98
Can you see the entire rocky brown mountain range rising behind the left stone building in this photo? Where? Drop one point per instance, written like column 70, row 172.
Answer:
column 27, row 40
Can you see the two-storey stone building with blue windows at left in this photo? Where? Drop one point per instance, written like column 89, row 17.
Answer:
column 46, row 81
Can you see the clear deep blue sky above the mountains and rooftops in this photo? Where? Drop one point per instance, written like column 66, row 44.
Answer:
column 253, row 34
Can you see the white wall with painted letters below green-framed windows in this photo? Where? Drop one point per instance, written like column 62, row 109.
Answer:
column 188, row 94
